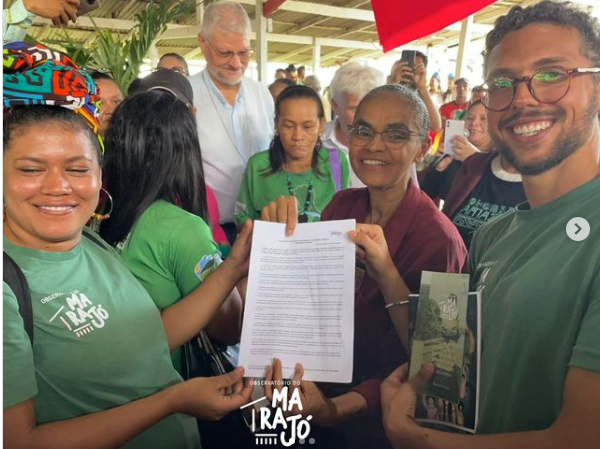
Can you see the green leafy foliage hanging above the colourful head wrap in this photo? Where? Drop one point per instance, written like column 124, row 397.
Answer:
column 122, row 57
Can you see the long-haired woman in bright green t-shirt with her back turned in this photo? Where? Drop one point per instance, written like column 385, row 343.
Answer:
column 153, row 169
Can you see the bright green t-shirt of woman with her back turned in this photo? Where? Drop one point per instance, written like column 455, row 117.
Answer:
column 171, row 252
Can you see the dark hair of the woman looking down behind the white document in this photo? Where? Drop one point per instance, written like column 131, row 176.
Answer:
column 276, row 150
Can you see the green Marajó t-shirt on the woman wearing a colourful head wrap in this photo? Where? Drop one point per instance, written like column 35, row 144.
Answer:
column 99, row 342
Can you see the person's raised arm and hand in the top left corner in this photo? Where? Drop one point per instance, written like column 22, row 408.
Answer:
column 19, row 17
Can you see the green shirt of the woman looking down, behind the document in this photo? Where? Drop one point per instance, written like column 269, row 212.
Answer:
column 258, row 190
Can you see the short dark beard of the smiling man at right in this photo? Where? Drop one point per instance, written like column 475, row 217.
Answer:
column 565, row 146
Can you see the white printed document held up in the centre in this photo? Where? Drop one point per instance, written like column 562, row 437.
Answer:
column 300, row 301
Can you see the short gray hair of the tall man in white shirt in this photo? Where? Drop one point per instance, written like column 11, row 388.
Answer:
column 228, row 16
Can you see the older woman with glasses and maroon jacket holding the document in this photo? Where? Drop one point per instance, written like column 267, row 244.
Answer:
column 402, row 233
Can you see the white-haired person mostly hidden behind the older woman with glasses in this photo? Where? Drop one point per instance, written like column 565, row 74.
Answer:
column 349, row 85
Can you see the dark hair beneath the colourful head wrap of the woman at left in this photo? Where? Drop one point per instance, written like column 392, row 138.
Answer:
column 17, row 118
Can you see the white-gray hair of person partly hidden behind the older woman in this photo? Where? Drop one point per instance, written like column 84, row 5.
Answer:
column 356, row 79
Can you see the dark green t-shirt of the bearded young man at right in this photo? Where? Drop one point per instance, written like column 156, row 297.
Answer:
column 540, row 308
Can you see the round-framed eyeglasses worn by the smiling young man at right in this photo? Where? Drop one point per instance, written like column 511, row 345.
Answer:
column 547, row 85
